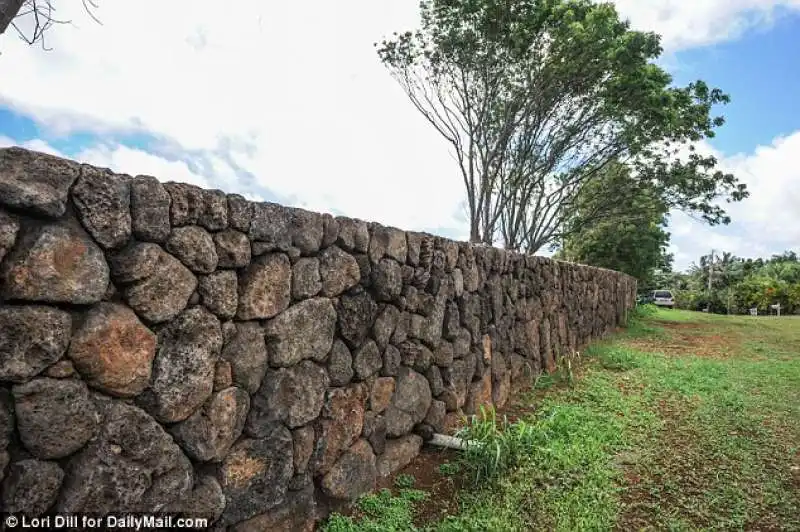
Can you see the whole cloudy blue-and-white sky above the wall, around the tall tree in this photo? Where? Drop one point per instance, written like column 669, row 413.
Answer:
column 288, row 102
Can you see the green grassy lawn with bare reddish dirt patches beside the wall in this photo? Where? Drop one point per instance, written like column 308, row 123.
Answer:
column 684, row 421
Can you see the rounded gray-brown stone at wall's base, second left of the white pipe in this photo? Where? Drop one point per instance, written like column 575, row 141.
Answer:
column 353, row 474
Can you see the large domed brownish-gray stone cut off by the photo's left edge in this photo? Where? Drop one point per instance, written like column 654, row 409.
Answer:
column 55, row 263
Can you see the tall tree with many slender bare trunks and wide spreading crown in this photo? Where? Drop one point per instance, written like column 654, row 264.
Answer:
column 537, row 97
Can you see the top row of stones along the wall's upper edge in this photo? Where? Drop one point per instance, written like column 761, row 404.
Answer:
column 117, row 207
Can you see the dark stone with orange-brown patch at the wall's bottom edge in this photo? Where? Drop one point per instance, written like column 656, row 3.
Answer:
column 255, row 475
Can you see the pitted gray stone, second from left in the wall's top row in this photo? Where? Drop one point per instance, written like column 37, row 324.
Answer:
column 103, row 203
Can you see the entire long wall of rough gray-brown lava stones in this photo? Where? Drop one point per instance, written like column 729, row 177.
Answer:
column 169, row 349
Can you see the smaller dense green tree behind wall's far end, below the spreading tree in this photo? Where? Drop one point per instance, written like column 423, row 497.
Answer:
column 632, row 240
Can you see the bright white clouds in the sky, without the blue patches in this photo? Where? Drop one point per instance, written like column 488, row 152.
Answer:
column 294, row 94
